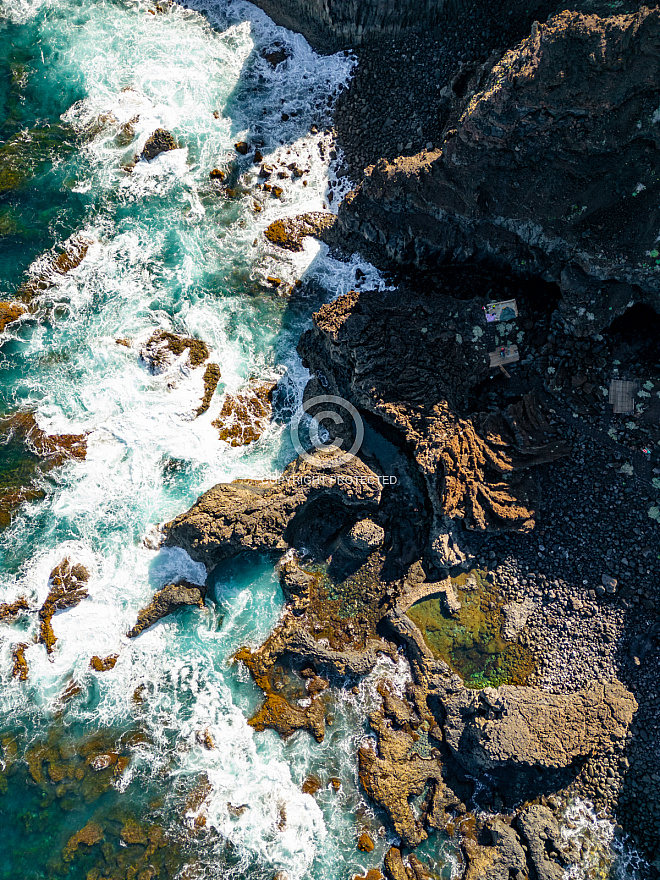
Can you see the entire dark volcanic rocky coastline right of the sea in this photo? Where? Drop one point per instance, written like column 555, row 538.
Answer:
column 522, row 510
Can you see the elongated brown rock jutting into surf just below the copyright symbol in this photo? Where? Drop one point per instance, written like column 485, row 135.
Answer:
column 311, row 498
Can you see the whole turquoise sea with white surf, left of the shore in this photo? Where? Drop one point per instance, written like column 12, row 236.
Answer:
column 166, row 250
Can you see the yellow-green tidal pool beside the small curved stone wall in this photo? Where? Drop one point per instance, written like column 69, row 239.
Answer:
column 470, row 641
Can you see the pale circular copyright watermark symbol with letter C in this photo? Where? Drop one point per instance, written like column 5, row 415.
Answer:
column 344, row 418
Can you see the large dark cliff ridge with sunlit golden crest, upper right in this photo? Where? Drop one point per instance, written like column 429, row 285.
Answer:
column 548, row 166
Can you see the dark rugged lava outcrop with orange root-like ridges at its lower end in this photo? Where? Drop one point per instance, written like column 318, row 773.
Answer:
column 410, row 360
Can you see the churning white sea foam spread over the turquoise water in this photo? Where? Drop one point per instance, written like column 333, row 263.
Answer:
column 167, row 251
